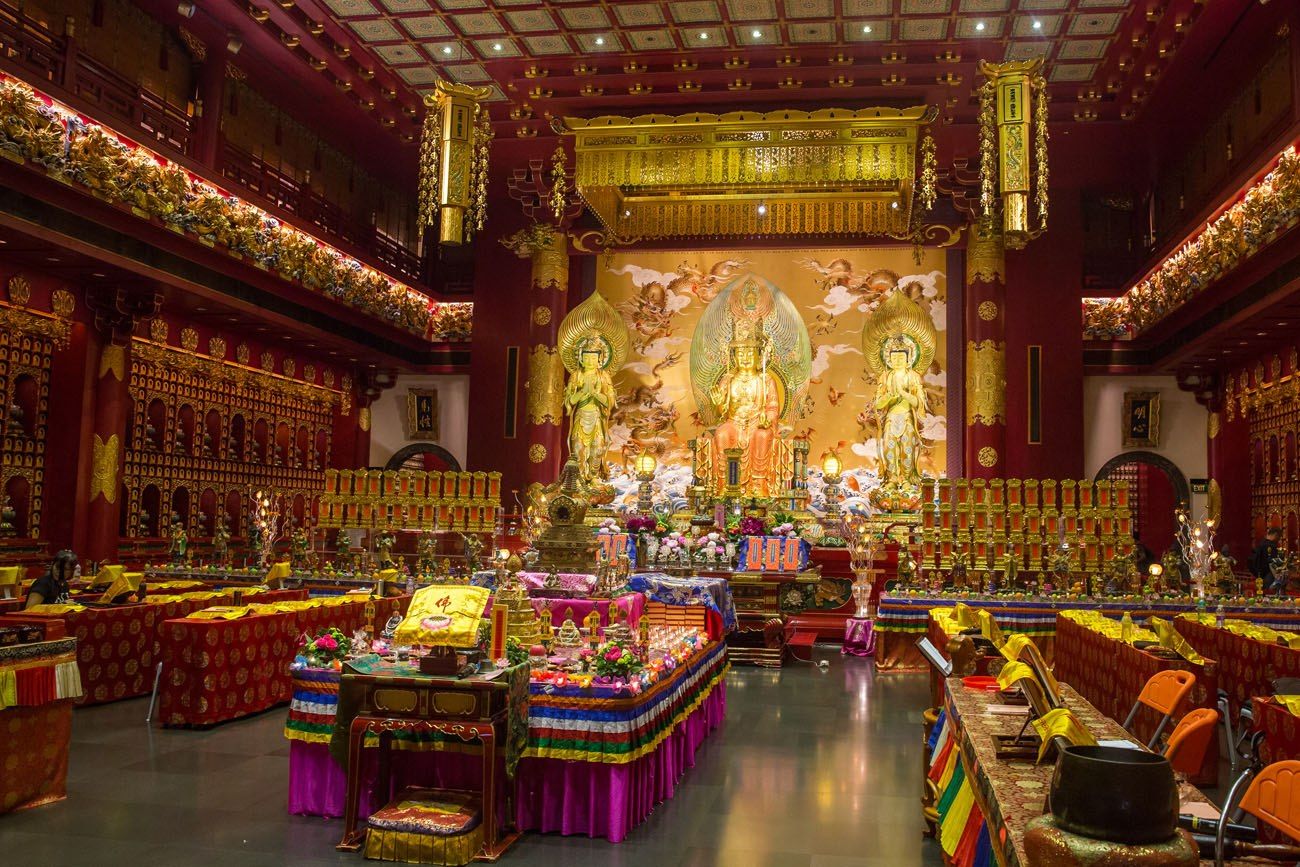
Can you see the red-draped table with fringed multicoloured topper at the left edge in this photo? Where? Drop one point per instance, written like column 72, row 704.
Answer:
column 38, row 686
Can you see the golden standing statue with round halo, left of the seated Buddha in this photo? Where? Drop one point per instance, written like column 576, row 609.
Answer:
column 593, row 344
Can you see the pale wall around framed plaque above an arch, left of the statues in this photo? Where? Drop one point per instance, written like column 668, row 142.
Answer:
column 391, row 422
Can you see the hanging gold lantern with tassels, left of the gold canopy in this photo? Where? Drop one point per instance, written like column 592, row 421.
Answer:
column 453, row 192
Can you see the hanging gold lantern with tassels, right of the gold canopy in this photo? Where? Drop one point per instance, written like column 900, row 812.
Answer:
column 1008, row 106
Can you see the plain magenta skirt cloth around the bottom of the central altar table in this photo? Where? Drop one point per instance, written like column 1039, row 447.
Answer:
column 551, row 795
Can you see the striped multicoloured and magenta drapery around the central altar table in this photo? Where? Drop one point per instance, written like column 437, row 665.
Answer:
column 592, row 766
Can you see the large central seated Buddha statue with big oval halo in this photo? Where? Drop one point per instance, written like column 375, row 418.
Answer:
column 749, row 362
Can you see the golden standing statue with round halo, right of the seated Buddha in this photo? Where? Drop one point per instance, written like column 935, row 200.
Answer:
column 899, row 344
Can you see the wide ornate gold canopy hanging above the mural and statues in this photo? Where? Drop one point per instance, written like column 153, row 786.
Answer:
column 825, row 172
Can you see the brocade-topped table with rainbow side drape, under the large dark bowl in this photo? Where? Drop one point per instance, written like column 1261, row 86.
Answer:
column 987, row 803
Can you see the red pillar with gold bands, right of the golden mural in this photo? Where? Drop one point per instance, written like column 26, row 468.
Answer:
column 986, row 352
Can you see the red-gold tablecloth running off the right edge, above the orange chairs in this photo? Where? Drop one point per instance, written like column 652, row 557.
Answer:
column 1247, row 666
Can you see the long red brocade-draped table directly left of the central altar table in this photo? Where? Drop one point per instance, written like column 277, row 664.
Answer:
column 215, row 671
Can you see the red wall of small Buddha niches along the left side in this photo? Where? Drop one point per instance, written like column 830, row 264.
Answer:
column 215, row 415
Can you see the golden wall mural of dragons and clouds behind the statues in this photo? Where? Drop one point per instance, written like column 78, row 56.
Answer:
column 662, row 297
